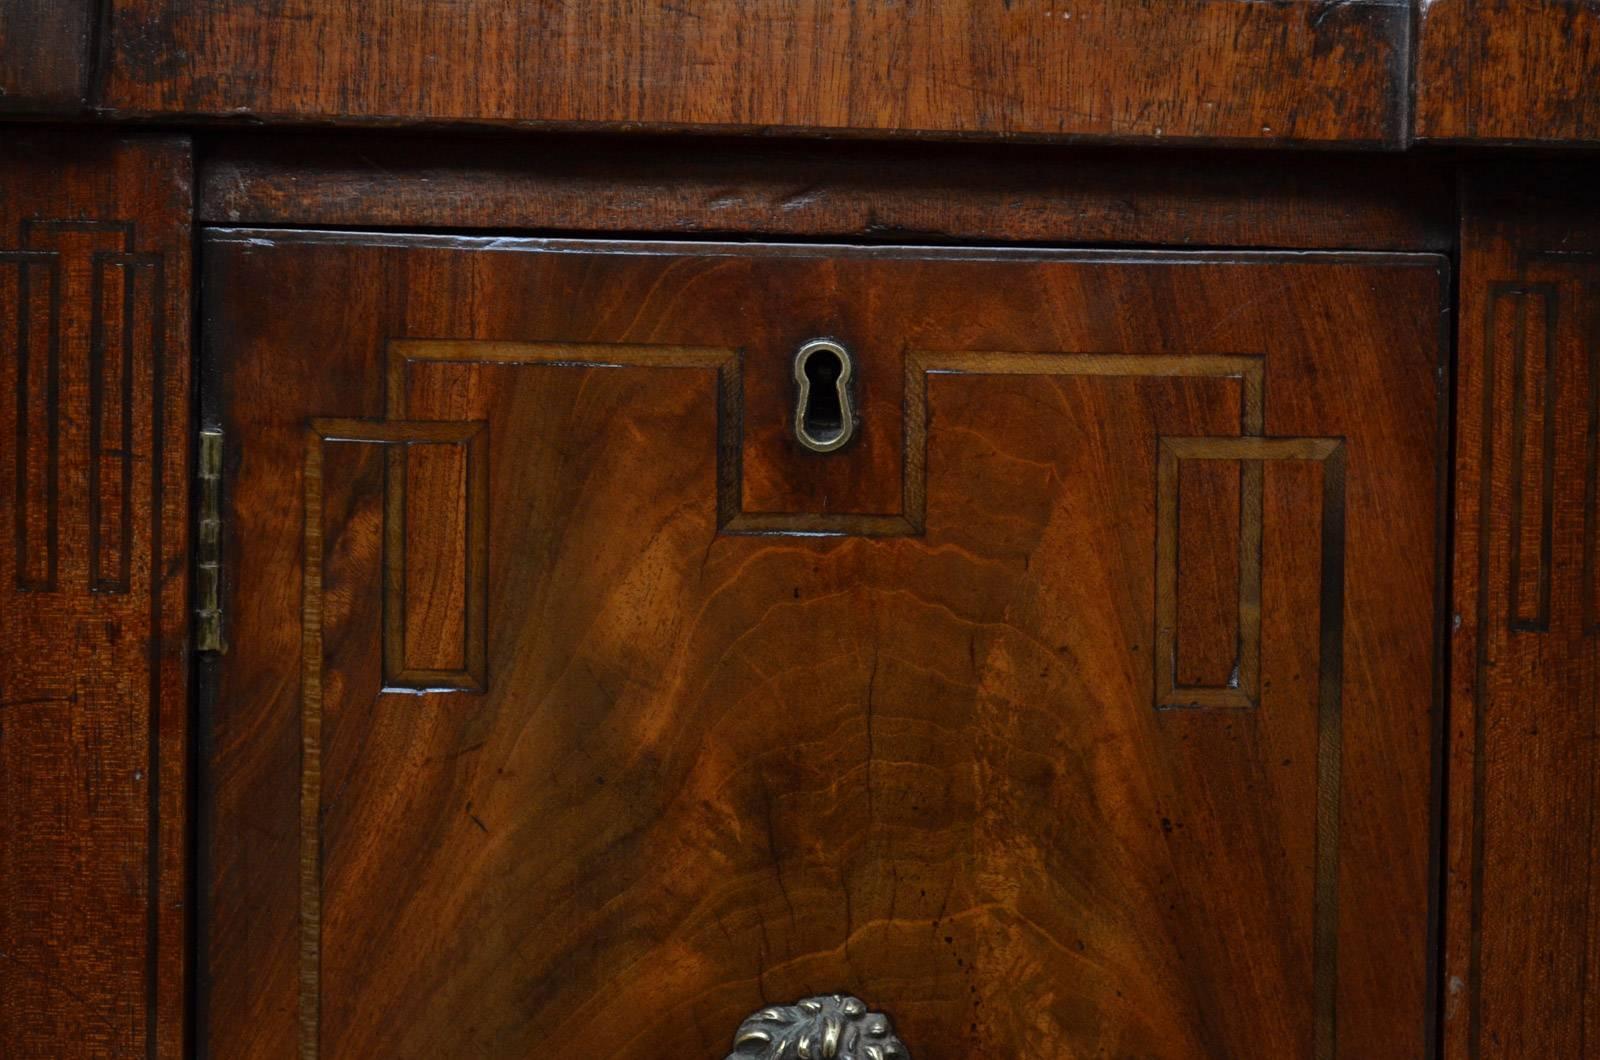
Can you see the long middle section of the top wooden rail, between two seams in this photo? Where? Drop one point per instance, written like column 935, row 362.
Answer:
column 1297, row 73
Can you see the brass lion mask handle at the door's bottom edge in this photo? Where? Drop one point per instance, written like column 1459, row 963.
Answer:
column 834, row 1027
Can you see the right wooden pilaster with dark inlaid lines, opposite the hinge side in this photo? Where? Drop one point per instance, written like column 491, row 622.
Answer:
column 1524, row 944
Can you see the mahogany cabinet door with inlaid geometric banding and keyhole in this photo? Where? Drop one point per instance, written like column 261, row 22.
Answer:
column 1081, row 704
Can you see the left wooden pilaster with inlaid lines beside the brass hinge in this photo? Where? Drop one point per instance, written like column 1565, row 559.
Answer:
column 94, row 593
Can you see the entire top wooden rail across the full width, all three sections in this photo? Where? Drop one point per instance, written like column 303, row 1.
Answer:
column 1222, row 73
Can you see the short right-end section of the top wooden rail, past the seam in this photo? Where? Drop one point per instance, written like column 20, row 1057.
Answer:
column 1508, row 71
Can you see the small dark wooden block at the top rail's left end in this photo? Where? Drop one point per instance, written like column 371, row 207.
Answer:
column 46, row 55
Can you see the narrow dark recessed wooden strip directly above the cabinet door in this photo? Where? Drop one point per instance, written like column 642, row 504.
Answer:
column 854, row 191
